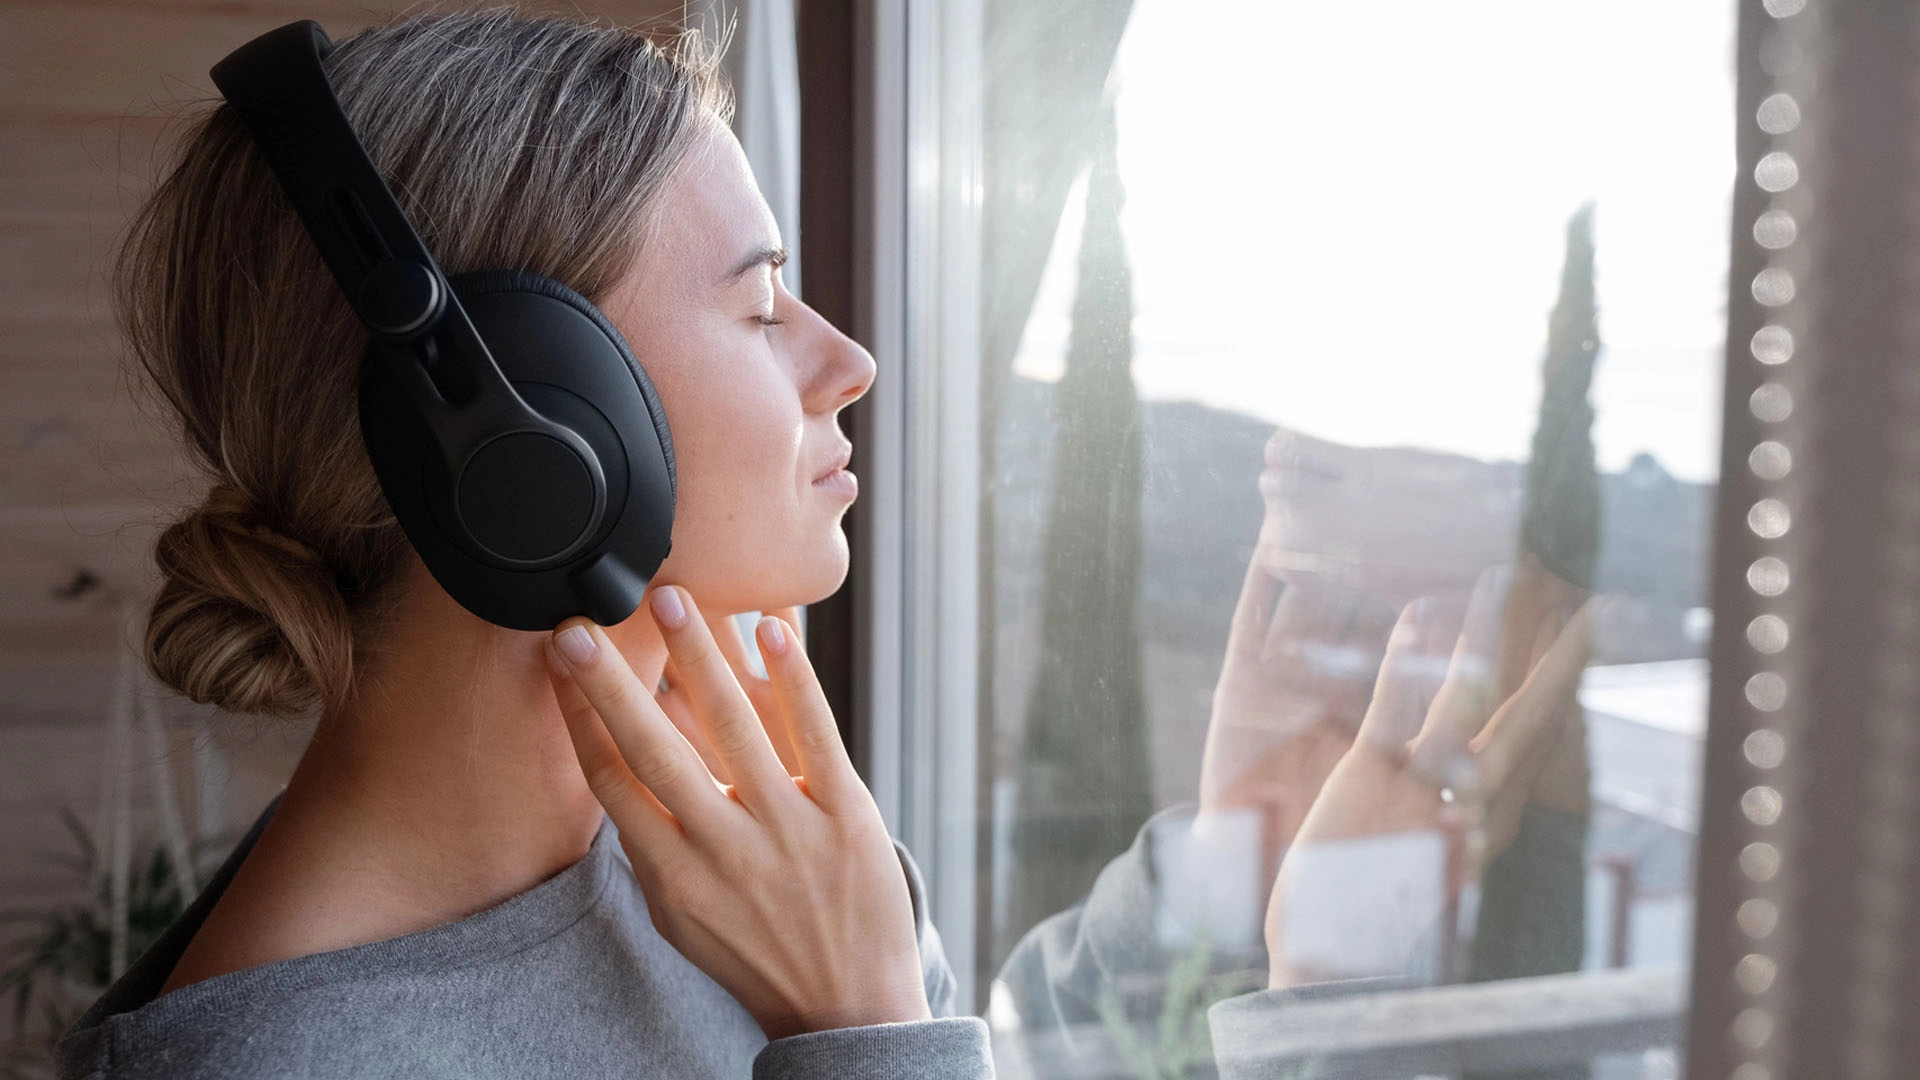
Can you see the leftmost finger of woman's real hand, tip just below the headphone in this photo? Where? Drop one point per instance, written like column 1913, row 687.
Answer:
column 633, row 758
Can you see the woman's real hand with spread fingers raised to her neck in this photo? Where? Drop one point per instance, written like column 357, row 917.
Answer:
column 784, row 889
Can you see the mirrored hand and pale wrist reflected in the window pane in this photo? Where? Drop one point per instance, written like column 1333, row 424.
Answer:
column 1428, row 737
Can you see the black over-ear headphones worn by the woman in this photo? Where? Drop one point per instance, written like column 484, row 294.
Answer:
column 519, row 443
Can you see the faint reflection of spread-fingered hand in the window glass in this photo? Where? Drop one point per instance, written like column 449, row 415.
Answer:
column 1418, row 749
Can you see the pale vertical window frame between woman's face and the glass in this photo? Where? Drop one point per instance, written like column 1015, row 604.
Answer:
column 917, row 301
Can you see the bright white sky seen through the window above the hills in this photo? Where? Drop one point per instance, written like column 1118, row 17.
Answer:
column 1349, row 218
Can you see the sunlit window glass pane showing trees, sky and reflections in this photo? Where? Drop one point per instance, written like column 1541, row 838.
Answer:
column 1353, row 399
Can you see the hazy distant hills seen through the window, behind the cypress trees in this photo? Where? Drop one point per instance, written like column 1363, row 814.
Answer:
column 1414, row 522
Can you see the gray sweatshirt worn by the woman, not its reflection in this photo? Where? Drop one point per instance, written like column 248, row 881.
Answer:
column 567, row 979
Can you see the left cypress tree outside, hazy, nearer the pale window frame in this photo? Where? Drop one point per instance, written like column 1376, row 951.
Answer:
column 1084, row 781
